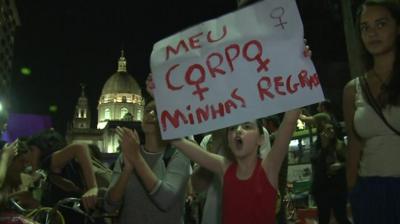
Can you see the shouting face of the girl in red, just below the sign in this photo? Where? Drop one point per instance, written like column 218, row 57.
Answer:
column 244, row 139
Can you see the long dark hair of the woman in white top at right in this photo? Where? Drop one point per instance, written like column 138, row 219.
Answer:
column 392, row 93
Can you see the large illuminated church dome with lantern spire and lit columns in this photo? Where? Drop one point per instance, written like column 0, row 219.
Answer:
column 120, row 95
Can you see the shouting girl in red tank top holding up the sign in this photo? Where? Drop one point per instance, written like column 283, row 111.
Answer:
column 249, row 183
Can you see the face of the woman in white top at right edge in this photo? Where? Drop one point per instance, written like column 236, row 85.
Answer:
column 379, row 31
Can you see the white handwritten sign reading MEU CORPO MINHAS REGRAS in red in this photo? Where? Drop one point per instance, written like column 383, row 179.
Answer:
column 242, row 66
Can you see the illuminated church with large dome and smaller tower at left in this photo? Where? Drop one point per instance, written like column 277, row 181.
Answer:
column 120, row 104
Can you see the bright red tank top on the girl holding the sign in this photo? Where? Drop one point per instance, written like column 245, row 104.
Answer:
column 250, row 201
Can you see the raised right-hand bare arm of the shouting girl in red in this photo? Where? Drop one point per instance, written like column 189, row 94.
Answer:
column 272, row 163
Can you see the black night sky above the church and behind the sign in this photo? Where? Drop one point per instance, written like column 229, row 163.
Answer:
column 66, row 43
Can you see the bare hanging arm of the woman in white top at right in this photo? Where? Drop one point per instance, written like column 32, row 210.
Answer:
column 354, row 141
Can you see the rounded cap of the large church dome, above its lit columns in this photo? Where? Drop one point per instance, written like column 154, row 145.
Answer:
column 121, row 82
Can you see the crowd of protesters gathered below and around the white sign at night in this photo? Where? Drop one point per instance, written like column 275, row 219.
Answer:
column 237, row 174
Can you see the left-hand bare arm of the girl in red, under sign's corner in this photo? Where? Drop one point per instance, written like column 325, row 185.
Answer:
column 213, row 162
